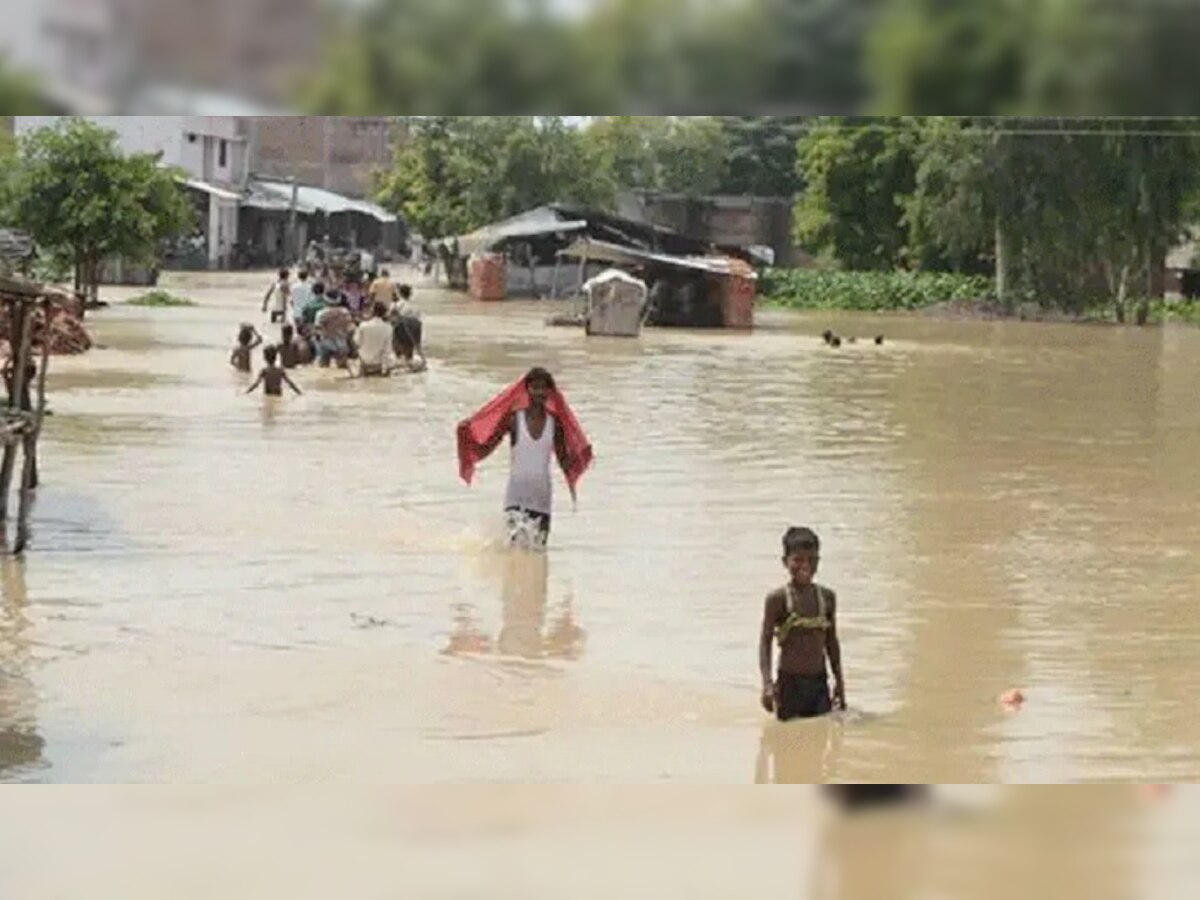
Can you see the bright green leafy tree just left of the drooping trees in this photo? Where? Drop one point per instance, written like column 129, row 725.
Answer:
column 860, row 177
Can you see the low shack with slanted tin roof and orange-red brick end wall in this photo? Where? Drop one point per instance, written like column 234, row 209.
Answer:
column 686, row 291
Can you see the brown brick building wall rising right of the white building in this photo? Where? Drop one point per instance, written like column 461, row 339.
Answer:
column 337, row 153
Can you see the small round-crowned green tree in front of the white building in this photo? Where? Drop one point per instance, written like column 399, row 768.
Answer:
column 77, row 194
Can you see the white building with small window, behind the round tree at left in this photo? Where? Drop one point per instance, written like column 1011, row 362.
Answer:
column 212, row 149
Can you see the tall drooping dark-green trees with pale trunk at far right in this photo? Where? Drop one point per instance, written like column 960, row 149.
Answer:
column 1101, row 203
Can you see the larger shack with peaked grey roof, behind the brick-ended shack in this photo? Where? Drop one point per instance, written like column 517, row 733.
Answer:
column 533, row 243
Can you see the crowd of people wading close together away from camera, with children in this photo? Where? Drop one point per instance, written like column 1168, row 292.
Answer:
column 367, row 326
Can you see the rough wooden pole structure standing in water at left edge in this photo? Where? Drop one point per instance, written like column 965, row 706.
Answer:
column 21, row 425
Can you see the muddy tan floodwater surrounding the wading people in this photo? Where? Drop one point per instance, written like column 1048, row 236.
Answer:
column 225, row 590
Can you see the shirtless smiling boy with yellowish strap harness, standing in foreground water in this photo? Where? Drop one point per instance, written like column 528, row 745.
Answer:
column 803, row 619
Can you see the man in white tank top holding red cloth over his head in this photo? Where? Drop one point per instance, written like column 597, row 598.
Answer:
column 536, row 418
